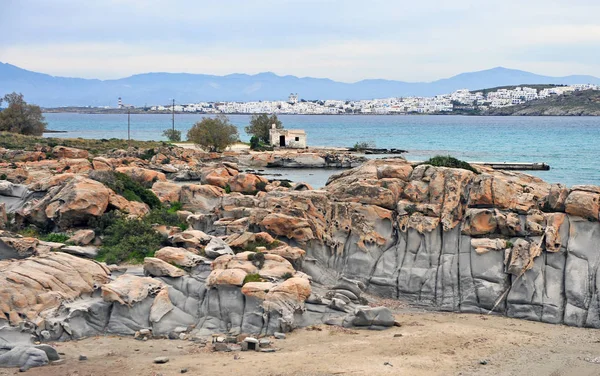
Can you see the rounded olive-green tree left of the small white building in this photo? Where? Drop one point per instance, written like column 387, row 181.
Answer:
column 214, row 134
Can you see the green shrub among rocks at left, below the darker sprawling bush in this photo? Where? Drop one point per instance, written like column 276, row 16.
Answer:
column 128, row 240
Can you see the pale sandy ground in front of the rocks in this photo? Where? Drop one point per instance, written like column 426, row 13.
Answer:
column 426, row 344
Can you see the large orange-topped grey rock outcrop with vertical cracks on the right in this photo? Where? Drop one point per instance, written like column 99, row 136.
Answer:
column 444, row 238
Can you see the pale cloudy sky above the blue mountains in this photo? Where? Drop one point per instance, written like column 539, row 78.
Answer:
column 346, row 40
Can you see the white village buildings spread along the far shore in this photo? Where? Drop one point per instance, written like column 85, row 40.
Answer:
column 463, row 99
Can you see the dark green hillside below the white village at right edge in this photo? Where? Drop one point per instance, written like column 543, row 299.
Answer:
column 581, row 103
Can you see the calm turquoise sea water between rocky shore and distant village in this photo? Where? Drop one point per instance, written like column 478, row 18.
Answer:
column 570, row 145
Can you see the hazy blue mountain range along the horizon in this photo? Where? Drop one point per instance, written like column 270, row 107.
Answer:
column 156, row 88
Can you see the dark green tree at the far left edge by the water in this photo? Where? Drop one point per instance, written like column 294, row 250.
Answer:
column 20, row 117
